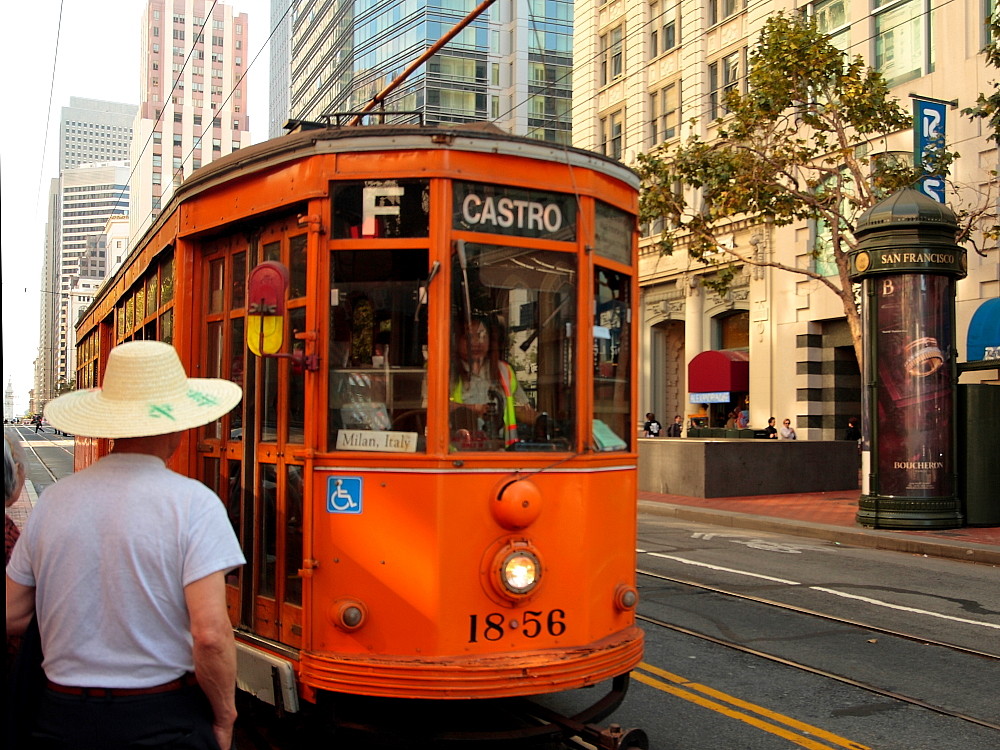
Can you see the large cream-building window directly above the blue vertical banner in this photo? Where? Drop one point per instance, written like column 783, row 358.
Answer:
column 903, row 40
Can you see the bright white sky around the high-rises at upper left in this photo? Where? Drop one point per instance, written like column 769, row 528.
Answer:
column 97, row 58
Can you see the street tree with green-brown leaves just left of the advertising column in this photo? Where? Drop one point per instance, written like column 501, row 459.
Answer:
column 792, row 148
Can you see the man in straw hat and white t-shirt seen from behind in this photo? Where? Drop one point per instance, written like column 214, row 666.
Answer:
column 124, row 562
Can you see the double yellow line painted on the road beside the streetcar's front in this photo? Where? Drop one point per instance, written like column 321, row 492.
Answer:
column 794, row 731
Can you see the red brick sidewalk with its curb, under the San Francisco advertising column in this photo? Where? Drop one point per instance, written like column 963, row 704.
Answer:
column 825, row 515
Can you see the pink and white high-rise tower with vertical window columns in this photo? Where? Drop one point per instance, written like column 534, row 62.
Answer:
column 194, row 98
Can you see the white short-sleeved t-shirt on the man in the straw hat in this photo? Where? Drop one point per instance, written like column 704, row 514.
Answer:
column 109, row 551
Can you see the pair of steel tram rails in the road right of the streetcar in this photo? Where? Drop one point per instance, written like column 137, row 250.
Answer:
column 874, row 689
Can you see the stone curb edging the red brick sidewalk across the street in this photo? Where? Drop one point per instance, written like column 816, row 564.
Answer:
column 874, row 539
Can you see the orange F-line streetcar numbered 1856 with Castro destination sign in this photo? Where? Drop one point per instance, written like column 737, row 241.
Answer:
column 433, row 469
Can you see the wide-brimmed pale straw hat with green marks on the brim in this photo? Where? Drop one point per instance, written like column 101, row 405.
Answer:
column 145, row 392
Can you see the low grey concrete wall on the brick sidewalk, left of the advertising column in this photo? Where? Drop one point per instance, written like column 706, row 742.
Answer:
column 733, row 468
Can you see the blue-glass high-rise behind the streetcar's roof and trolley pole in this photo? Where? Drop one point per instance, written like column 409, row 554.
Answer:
column 511, row 66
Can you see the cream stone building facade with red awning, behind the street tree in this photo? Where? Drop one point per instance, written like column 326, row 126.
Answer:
column 650, row 72
